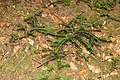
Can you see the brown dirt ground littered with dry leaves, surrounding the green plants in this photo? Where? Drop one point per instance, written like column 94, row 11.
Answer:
column 19, row 60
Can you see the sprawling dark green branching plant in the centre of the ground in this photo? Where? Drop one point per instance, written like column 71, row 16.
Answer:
column 78, row 37
